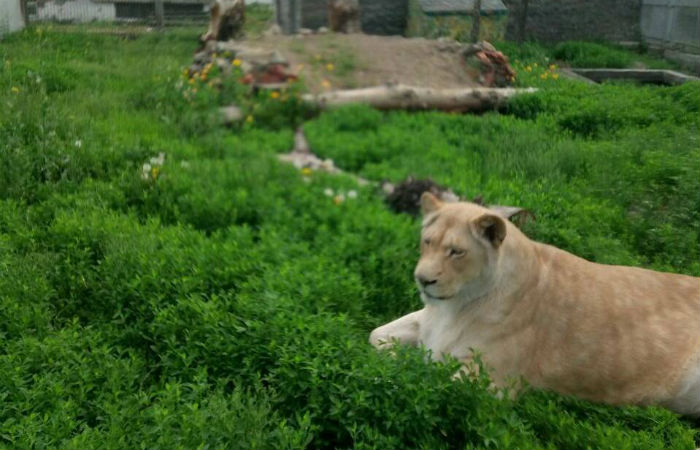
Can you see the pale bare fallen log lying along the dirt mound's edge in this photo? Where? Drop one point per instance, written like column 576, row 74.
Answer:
column 400, row 96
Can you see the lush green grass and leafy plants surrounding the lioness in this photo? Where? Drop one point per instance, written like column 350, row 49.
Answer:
column 224, row 300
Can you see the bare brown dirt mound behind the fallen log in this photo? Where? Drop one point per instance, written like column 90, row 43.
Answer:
column 335, row 61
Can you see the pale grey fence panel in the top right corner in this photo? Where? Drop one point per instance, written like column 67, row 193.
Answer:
column 671, row 24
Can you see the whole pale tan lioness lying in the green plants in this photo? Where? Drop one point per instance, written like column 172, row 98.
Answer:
column 613, row 334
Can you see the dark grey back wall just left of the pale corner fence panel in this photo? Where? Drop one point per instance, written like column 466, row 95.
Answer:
column 560, row 20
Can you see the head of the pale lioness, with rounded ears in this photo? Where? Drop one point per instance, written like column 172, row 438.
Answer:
column 459, row 249
